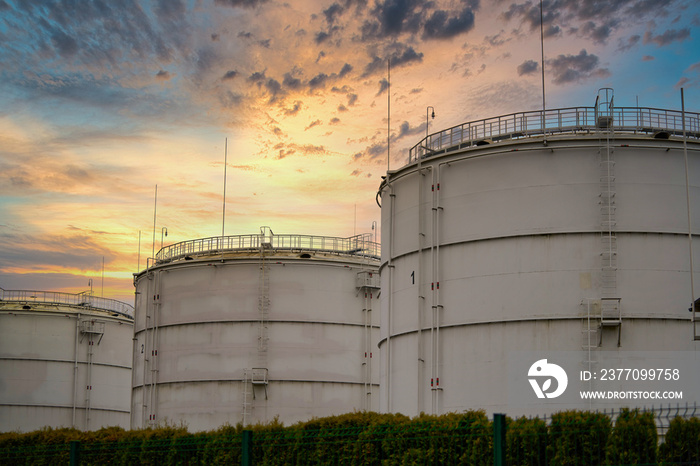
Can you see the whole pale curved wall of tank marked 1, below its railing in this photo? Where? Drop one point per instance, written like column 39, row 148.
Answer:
column 511, row 252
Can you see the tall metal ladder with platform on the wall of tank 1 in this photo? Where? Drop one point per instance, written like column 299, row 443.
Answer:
column 610, row 310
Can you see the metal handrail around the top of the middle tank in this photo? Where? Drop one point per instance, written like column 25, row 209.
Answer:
column 354, row 246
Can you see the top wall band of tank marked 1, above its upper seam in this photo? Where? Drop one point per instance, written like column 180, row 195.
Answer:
column 535, row 191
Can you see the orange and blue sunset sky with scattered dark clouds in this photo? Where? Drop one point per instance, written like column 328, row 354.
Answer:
column 100, row 100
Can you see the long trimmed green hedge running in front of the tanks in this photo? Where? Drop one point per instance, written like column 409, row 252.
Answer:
column 571, row 438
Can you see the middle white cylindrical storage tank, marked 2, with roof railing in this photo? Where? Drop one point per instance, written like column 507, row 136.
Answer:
column 245, row 329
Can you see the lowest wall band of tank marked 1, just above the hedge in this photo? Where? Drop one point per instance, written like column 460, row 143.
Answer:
column 477, row 364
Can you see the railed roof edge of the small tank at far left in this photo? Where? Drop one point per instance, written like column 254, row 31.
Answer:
column 31, row 299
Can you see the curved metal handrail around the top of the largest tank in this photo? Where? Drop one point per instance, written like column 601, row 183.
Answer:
column 561, row 120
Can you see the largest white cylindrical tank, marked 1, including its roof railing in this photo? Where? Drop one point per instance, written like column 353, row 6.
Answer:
column 507, row 250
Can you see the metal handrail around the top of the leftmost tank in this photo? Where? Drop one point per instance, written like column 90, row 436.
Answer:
column 81, row 300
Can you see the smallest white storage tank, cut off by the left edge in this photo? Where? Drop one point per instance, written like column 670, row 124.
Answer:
column 65, row 361
